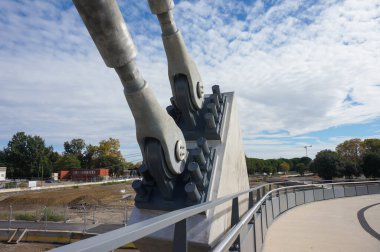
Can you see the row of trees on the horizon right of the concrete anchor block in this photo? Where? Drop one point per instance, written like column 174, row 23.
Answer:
column 352, row 158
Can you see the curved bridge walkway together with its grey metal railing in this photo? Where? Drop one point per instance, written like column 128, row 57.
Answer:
column 342, row 216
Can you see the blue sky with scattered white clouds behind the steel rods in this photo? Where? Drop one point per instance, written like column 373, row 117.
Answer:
column 304, row 72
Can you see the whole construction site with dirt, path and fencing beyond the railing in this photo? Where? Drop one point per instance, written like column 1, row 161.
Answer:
column 39, row 220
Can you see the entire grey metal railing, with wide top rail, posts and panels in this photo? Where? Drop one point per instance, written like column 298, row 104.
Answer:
column 265, row 203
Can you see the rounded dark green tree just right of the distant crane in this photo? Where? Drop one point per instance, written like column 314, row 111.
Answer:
column 327, row 164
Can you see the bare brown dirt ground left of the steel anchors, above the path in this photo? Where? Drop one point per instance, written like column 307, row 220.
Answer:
column 105, row 203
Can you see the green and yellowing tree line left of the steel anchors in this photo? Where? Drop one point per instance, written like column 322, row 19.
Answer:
column 27, row 156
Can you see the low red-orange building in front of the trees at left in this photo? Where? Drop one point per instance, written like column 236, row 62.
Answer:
column 79, row 174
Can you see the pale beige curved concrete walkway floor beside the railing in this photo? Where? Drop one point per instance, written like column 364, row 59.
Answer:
column 345, row 224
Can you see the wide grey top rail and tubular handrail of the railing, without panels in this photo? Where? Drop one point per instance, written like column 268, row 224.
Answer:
column 119, row 237
